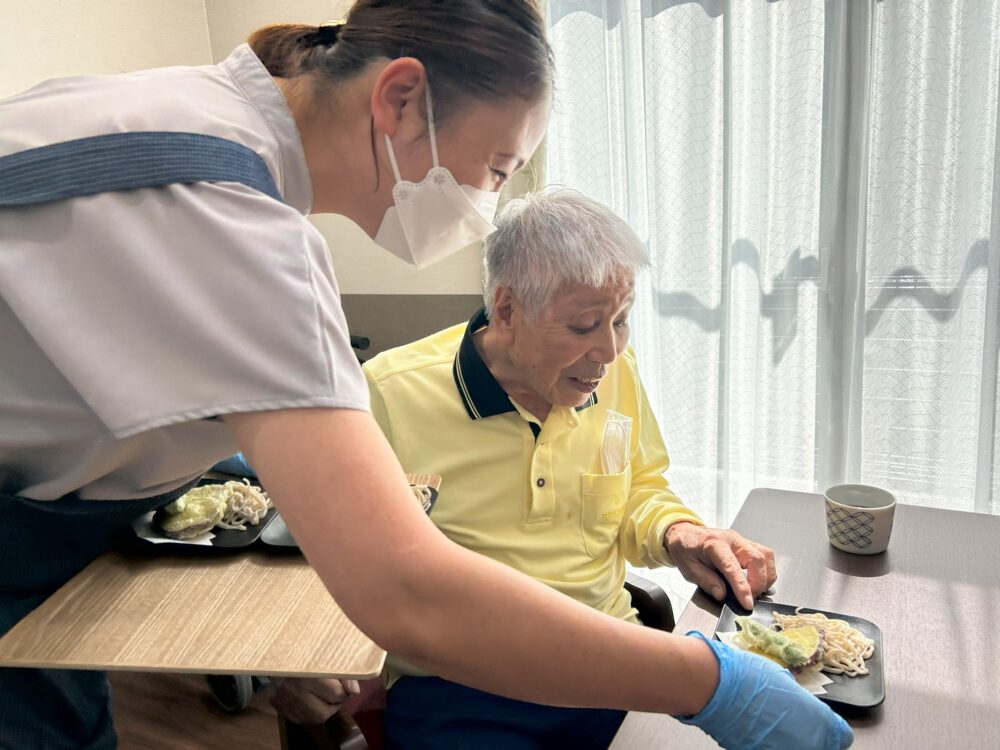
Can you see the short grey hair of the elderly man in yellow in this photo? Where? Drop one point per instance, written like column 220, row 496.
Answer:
column 554, row 238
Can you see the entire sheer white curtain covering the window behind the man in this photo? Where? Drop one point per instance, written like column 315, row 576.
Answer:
column 819, row 189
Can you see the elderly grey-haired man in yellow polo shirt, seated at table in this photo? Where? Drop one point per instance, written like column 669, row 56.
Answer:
column 552, row 461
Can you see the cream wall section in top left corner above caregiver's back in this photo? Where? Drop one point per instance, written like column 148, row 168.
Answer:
column 42, row 39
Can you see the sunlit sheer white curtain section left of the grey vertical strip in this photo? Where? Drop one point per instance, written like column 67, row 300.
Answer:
column 718, row 167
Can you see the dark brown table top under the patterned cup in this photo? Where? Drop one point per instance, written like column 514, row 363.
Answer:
column 935, row 594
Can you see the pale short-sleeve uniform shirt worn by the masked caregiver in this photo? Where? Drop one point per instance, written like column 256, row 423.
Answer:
column 129, row 321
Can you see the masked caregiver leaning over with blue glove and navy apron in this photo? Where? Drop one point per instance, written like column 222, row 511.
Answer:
column 154, row 325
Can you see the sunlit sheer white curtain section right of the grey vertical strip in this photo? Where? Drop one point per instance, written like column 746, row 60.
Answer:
column 931, row 200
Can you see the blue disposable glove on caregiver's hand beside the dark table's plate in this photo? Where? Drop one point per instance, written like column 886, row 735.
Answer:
column 759, row 705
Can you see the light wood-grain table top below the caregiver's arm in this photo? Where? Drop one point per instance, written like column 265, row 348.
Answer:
column 224, row 613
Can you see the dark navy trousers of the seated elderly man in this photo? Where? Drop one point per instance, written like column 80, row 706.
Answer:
column 428, row 712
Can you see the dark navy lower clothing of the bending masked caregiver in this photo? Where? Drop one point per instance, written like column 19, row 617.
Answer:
column 43, row 545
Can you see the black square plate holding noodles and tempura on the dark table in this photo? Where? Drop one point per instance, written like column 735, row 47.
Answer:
column 864, row 691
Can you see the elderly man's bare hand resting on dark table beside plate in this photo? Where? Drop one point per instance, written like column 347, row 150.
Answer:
column 701, row 554
